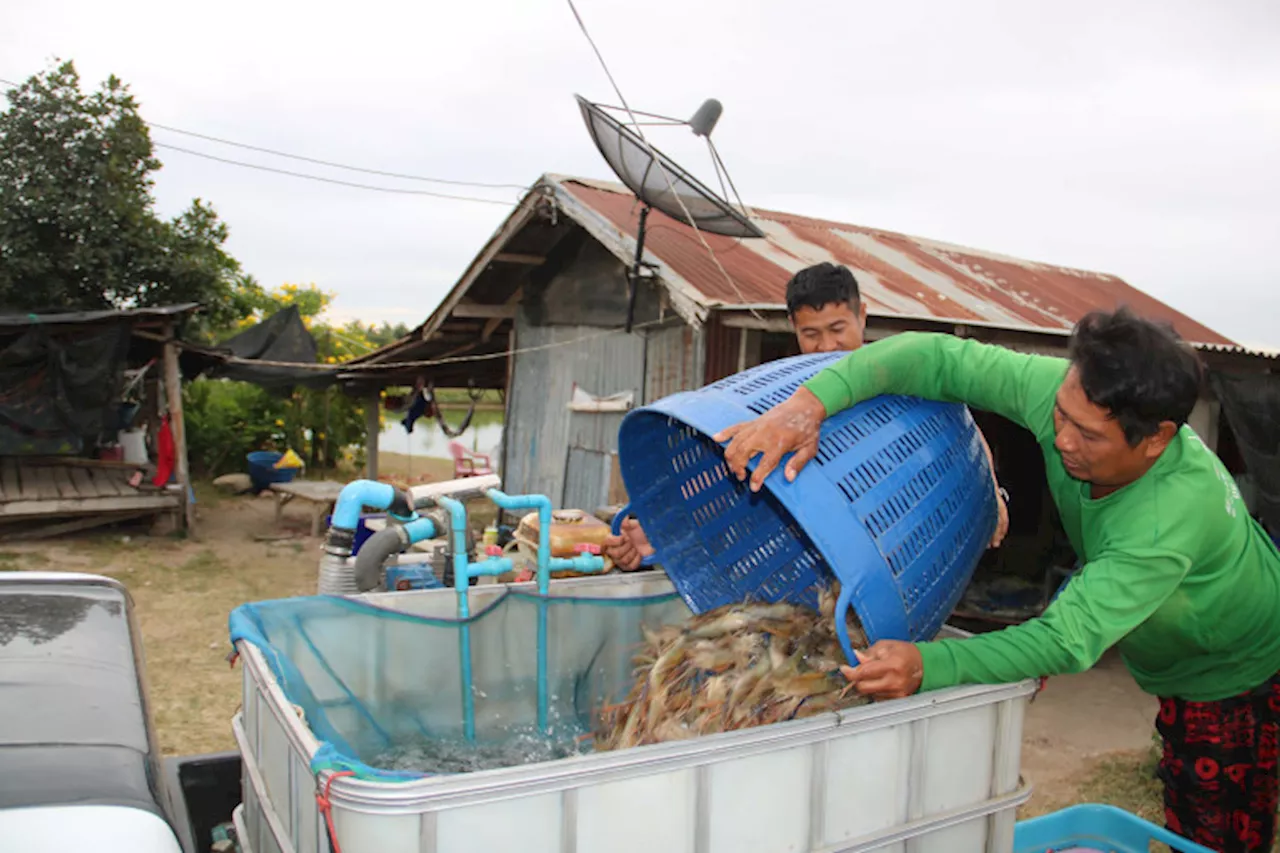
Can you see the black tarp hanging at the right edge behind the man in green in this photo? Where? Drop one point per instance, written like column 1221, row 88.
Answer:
column 1251, row 404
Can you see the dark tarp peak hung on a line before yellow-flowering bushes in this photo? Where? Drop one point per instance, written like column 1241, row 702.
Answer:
column 281, row 339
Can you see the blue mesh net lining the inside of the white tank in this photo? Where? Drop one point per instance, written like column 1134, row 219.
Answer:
column 373, row 681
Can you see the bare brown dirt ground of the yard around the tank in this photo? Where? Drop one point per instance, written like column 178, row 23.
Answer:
column 1087, row 737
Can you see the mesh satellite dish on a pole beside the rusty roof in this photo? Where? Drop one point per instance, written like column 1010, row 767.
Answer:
column 660, row 183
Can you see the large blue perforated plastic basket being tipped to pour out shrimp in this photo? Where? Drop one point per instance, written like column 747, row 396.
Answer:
column 899, row 504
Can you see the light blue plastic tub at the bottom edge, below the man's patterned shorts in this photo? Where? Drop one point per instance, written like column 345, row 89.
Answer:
column 1095, row 829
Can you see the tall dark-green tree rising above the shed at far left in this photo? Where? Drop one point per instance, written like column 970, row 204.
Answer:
column 77, row 222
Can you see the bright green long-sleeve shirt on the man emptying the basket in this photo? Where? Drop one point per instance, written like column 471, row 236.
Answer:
column 1176, row 572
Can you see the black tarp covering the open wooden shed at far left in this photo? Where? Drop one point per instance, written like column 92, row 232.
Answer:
column 58, row 382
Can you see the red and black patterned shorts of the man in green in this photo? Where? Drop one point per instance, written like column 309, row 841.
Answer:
column 1219, row 769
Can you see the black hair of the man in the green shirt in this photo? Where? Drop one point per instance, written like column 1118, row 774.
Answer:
column 1137, row 370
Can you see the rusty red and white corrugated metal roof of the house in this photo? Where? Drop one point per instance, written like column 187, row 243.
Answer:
column 899, row 276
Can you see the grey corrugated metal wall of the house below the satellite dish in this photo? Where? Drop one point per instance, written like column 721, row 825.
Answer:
column 566, row 455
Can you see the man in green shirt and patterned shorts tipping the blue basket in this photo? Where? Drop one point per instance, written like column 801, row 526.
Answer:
column 1176, row 573
